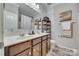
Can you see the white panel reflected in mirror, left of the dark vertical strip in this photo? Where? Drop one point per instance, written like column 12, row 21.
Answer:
column 10, row 21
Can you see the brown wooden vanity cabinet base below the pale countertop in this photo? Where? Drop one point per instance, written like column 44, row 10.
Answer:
column 34, row 47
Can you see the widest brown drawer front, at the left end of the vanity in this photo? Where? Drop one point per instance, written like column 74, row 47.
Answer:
column 19, row 47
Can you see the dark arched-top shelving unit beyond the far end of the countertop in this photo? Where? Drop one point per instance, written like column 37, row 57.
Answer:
column 46, row 28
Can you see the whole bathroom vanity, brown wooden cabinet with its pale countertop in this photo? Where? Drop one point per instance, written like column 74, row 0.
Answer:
column 32, row 45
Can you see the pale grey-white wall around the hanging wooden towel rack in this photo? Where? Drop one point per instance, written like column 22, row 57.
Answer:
column 53, row 13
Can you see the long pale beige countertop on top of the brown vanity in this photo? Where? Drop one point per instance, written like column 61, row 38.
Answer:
column 8, row 41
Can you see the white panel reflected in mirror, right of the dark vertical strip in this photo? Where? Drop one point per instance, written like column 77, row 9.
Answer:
column 26, row 23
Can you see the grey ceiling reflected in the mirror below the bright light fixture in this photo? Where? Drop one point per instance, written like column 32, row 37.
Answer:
column 24, row 9
